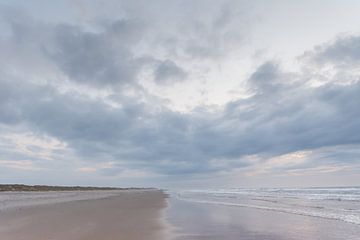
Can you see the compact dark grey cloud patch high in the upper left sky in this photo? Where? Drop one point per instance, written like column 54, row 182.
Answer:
column 102, row 59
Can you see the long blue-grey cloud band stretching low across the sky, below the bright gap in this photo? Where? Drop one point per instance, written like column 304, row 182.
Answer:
column 173, row 143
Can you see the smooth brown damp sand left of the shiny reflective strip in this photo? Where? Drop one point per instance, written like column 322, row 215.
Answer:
column 128, row 216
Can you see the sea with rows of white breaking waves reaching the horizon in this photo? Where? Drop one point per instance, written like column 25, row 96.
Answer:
column 340, row 203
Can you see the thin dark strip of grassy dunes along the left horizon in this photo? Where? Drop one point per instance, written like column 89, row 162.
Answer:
column 44, row 188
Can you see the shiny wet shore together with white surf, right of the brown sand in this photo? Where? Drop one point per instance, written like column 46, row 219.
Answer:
column 270, row 214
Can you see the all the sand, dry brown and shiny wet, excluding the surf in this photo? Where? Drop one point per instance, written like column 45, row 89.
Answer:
column 154, row 214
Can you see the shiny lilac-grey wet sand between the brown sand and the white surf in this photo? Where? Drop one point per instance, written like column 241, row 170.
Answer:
column 197, row 221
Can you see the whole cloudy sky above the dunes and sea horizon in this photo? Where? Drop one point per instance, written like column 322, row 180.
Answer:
column 180, row 94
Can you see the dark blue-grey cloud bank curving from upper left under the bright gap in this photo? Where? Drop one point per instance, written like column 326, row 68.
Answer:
column 284, row 113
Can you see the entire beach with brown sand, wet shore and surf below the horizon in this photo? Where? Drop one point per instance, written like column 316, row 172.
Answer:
column 229, row 214
